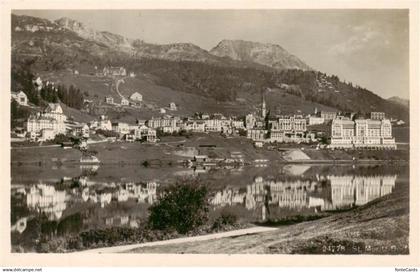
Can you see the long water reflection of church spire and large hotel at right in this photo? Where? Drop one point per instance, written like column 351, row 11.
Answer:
column 345, row 191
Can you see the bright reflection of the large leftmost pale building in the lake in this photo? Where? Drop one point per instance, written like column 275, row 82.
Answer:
column 46, row 199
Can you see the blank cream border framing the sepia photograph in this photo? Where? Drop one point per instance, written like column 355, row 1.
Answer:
column 28, row 259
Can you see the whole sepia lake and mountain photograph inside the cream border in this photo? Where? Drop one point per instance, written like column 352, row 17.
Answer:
column 200, row 131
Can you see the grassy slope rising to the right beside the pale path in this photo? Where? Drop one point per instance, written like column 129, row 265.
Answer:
column 380, row 225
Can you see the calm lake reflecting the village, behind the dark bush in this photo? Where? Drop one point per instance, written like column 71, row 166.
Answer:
column 75, row 198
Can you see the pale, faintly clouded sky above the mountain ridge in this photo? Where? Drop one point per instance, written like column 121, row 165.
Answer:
column 370, row 48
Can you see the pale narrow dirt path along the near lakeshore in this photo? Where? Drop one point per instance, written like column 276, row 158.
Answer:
column 119, row 249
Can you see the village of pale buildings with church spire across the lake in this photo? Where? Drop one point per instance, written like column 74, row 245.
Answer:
column 332, row 130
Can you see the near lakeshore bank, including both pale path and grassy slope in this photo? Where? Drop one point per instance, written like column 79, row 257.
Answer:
column 359, row 220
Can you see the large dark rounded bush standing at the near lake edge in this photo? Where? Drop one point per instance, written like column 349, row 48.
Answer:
column 182, row 207
